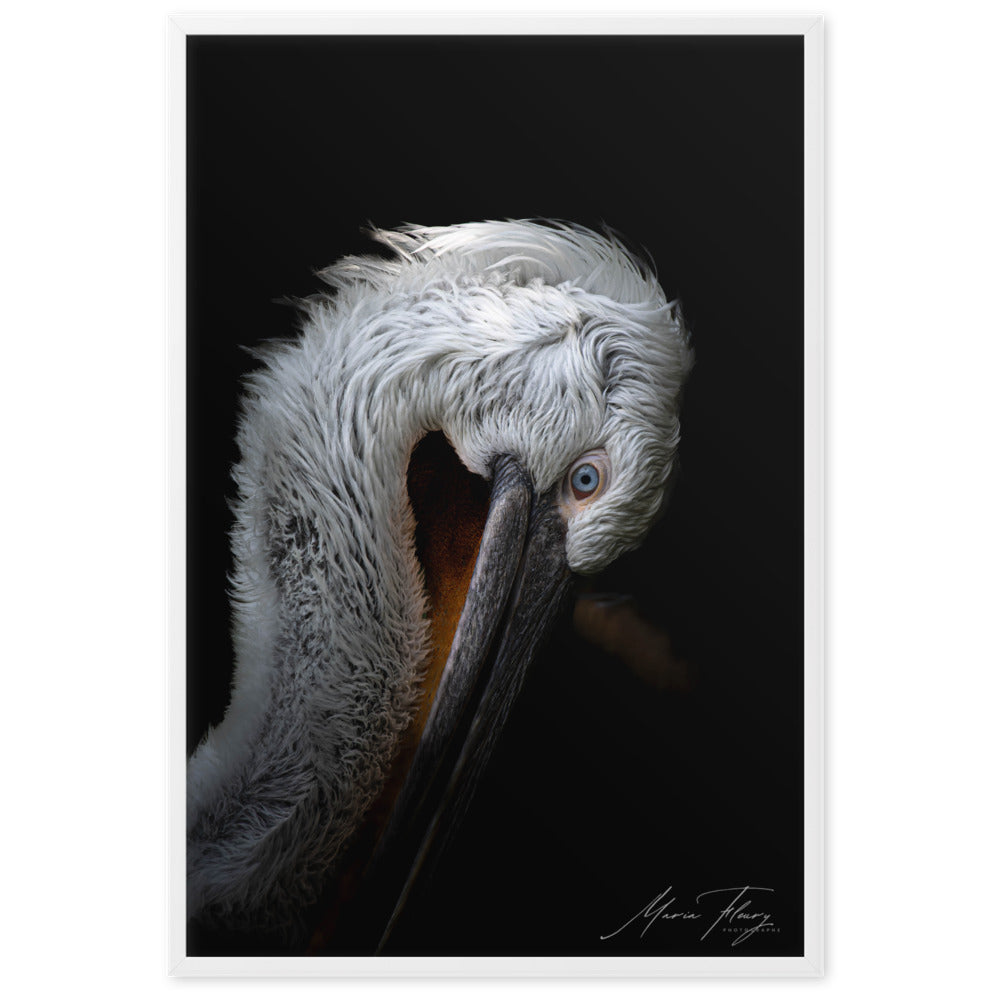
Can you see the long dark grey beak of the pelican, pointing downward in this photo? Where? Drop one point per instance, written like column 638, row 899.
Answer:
column 519, row 583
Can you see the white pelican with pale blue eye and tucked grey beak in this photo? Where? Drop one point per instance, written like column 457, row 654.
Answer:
column 461, row 424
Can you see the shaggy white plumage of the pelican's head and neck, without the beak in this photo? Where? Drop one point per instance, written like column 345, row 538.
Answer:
column 535, row 339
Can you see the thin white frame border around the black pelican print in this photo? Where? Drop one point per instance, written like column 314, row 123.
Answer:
column 811, row 963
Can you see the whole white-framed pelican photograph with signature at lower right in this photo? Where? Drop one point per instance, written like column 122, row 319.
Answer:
column 496, row 496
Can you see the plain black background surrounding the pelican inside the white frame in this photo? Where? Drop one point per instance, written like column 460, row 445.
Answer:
column 603, row 792
